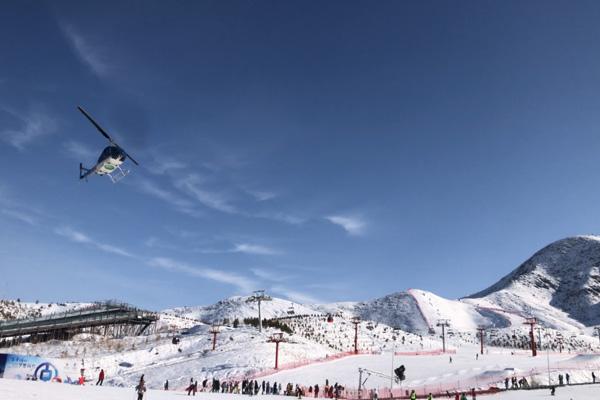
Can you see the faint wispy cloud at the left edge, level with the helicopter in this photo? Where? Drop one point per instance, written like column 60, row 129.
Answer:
column 34, row 125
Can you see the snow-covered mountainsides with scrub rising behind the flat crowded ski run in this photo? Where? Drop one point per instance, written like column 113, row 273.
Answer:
column 559, row 285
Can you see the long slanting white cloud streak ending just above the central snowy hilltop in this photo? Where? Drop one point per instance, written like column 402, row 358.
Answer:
column 242, row 283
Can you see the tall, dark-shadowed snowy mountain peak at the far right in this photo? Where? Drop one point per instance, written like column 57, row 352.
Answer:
column 559, row 284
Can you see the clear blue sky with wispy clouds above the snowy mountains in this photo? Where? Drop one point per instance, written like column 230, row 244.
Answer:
column 320, row 150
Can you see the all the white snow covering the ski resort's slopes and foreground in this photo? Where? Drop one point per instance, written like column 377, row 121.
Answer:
column 559, row 285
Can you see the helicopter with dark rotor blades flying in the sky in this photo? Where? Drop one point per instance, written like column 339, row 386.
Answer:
column 110, row 160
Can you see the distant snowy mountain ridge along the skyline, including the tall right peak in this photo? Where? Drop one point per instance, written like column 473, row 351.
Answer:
column 559, row 285
